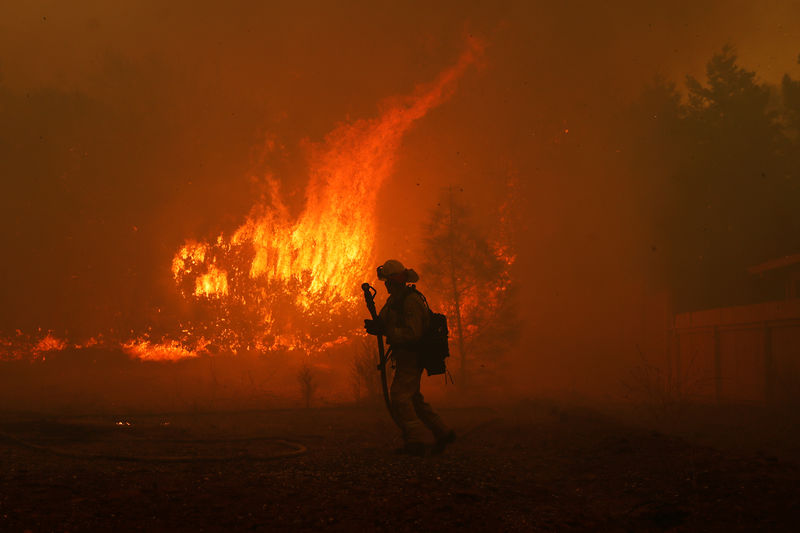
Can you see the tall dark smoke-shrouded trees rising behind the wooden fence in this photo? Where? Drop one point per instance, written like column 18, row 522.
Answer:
column 718, row 171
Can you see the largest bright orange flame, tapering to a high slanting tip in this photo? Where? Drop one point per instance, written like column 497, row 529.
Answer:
column 297, row 277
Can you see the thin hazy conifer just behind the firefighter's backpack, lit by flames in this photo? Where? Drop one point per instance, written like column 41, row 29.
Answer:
column 471, row 274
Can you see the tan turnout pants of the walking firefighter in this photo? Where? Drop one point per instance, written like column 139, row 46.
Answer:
column 411, row 411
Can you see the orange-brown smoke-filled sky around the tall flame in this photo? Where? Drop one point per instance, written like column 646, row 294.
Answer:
column 128, row 128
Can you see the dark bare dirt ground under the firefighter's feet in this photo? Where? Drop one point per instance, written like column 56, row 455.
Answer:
column 524, row 467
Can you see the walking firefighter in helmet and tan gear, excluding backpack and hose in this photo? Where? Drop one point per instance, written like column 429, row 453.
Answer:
column 403, row 319
